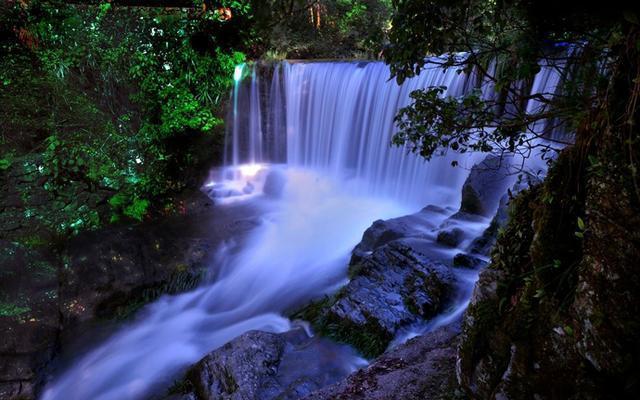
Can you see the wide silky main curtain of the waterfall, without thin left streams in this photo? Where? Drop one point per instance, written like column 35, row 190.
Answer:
column 349, row 135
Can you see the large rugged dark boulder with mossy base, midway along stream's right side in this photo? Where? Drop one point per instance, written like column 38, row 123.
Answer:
column 390, row 288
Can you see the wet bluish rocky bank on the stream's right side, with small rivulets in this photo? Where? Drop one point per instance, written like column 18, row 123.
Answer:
column 402, row 274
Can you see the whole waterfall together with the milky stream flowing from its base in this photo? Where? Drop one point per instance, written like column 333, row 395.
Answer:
column 335, row 121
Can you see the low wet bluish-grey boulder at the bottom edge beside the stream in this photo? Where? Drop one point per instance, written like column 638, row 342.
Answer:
column 263, row 366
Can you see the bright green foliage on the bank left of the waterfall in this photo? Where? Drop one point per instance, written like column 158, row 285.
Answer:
column 115, row 98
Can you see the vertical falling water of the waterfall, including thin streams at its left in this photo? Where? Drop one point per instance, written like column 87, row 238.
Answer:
column 339, row 119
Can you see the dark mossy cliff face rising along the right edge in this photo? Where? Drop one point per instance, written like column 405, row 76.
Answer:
column 557, row 312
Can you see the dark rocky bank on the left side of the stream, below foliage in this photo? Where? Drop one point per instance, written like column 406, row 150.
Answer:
column 61, row 293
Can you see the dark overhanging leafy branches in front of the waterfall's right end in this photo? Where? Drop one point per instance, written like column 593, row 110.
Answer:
column 504, row 44
